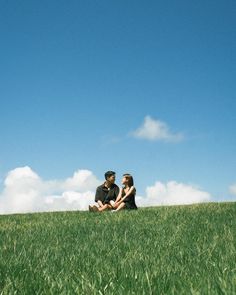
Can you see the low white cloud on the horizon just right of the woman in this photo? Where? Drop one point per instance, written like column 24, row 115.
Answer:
column 172, row 193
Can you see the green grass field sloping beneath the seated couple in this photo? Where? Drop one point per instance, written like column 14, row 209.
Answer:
column 161, row 250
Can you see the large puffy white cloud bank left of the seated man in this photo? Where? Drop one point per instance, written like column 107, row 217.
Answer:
column 25, row 191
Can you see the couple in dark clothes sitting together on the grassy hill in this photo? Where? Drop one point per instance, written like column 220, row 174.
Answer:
column 110, row 197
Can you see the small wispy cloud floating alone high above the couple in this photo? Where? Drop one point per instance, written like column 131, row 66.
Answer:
column 156, row 130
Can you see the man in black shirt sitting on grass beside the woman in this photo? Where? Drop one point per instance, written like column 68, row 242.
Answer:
column 106, row 193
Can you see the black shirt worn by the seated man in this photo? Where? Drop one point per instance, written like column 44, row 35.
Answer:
column 105, row 195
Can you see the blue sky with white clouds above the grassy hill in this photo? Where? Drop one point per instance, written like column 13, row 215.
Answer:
column 145, row 87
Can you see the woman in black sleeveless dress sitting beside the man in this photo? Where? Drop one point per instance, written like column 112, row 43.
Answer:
column 126, row 197
